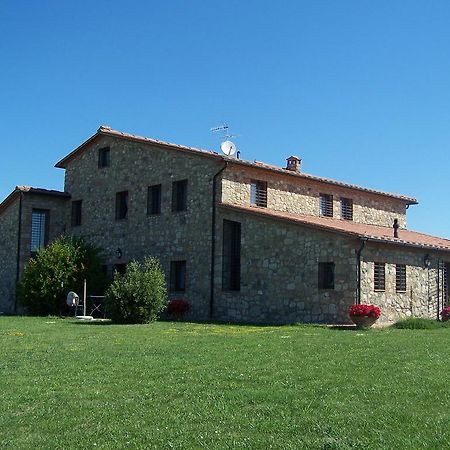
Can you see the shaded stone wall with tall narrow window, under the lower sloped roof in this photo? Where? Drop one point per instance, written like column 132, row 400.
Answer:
column 279, row 273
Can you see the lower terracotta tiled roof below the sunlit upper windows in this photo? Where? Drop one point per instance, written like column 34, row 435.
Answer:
column 350, row 228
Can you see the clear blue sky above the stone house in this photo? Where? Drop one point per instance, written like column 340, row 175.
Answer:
column 359, row 89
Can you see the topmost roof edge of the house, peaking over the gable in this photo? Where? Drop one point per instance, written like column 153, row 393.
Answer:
column 107, row 131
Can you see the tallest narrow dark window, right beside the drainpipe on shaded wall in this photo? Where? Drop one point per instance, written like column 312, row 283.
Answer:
column 231, row 258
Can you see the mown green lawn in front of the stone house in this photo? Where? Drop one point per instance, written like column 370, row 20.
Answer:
column 67, row 385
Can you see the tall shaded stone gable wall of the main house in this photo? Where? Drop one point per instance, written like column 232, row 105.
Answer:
column 170, row 236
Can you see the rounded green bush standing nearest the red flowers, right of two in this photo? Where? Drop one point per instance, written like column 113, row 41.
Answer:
column 139, row 295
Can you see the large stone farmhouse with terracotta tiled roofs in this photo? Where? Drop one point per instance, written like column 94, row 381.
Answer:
column 241, row 241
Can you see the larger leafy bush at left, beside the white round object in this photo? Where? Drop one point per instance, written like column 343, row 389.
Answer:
column 57, row 269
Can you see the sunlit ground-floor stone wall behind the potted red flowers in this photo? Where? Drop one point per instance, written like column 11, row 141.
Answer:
column 422, row 284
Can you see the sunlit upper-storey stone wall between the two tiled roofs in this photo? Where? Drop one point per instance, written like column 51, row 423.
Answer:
column 301, row 196
